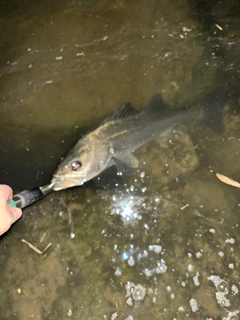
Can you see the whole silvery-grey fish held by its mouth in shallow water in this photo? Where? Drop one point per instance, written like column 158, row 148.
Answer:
column 115, row 139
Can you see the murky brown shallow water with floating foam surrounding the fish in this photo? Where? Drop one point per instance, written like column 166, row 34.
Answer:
column 162, row 243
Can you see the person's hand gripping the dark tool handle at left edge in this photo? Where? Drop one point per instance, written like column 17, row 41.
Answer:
column 8, row 215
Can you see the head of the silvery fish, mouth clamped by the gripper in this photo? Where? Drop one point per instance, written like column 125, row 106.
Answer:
column 80, row 165
